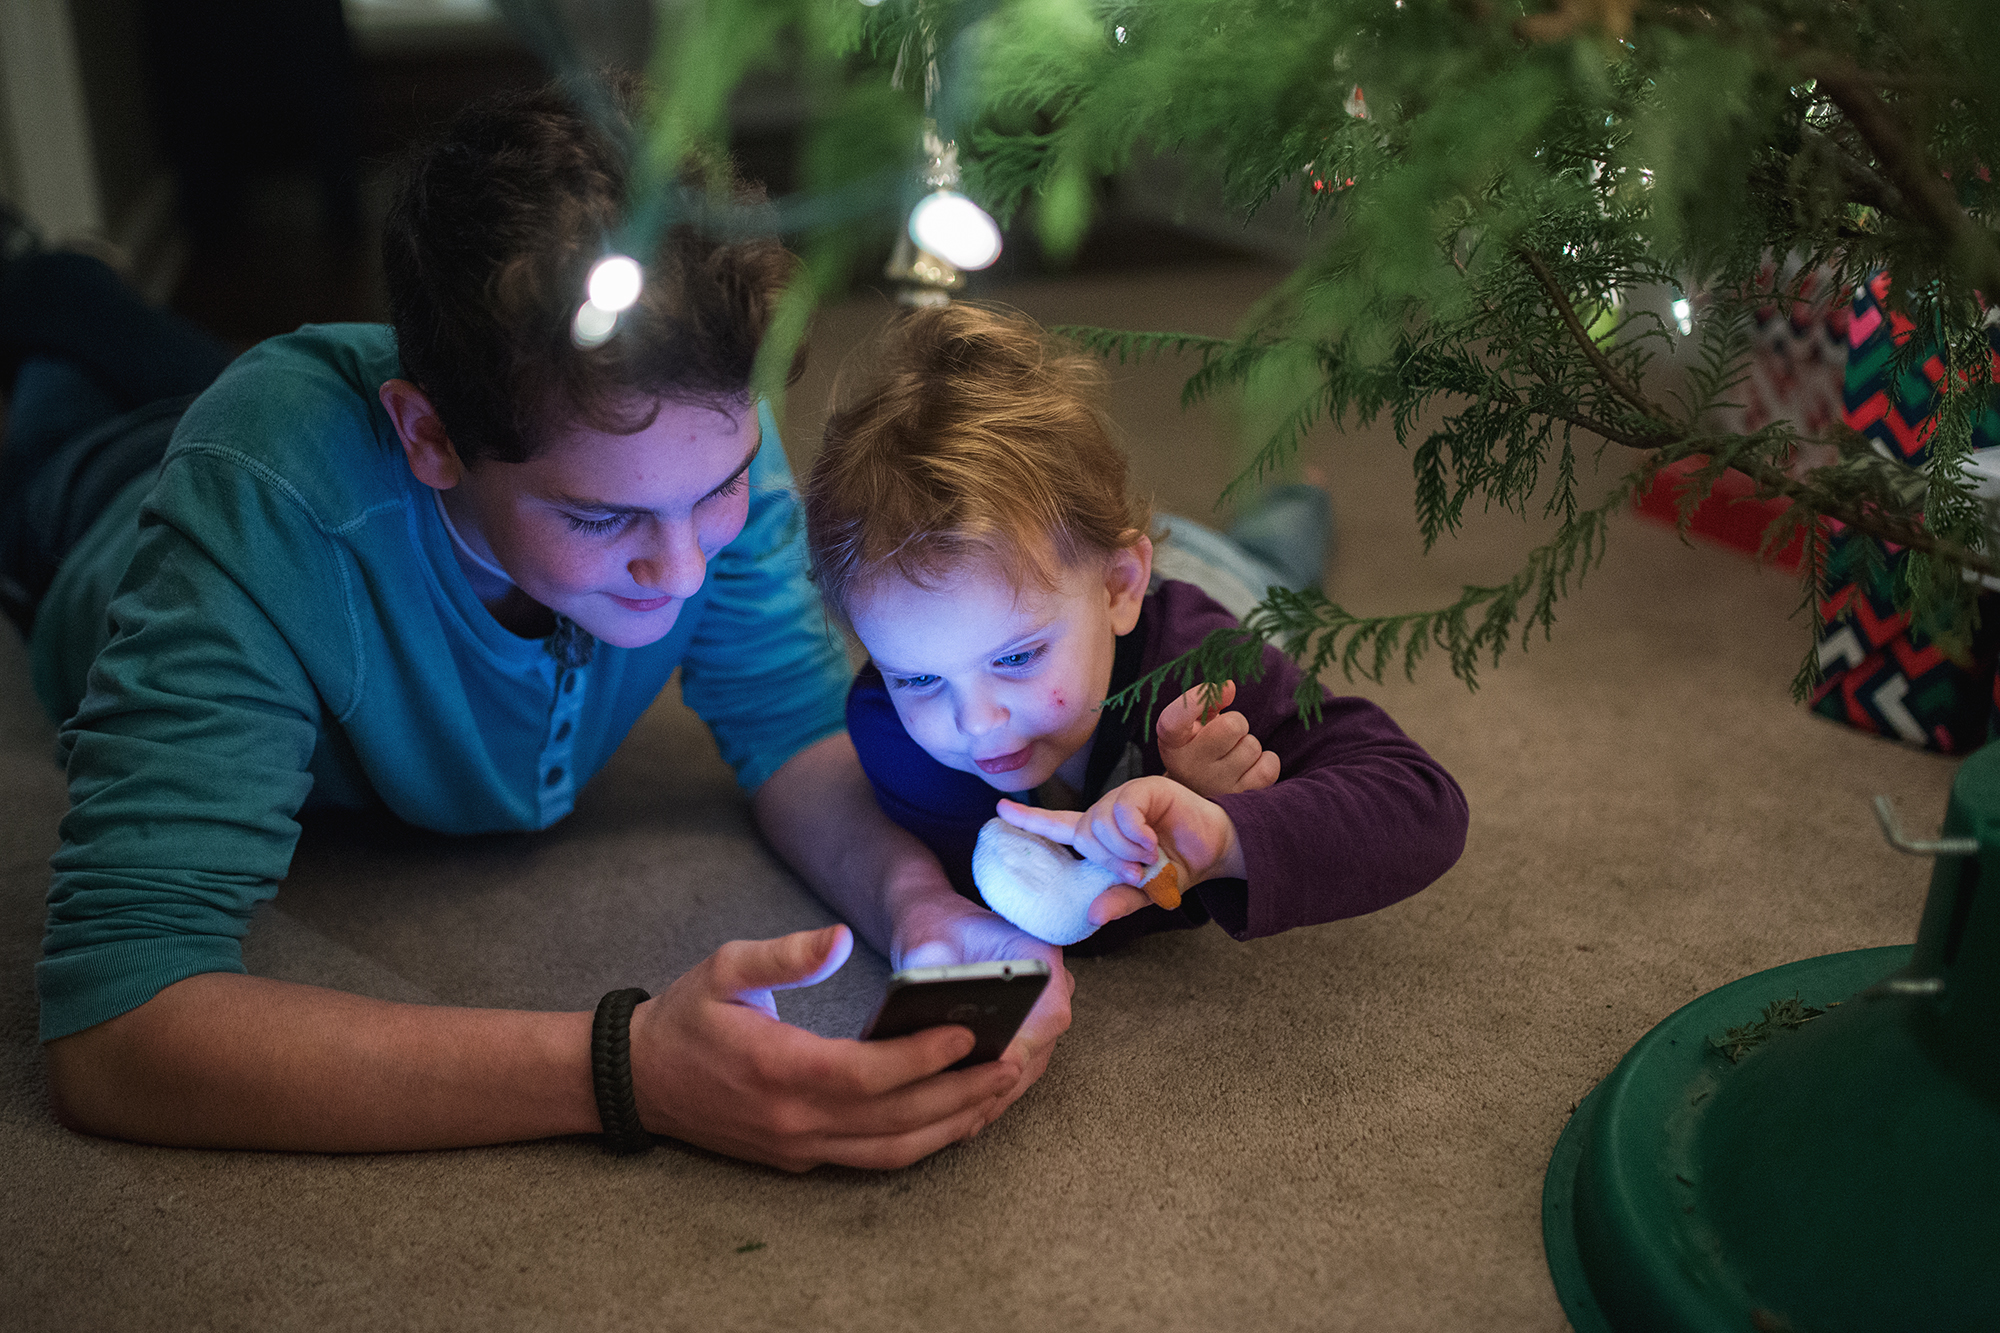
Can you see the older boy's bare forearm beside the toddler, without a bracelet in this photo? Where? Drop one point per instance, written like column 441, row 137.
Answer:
column 823, row 818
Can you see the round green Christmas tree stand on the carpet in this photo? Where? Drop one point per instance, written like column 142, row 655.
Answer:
column 1845, row 1176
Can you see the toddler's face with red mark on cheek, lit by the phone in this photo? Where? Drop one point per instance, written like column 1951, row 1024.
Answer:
column 997, row 682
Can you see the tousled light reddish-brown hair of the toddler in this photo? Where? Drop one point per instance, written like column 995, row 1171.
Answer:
column 971, row 437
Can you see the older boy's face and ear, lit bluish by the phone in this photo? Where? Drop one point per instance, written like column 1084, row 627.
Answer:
column 615, row 531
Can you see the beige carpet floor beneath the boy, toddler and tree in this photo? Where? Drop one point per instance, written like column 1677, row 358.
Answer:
column 1341, row 1128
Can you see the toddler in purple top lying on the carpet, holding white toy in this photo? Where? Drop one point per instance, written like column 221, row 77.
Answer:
column 969, row 517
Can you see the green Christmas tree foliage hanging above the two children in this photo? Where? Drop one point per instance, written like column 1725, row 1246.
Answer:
column 1515, row 169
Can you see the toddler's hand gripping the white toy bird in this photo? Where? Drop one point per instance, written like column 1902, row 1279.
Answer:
column 1129, row 828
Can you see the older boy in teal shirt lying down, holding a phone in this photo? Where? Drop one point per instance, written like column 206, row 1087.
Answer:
column 441, row 571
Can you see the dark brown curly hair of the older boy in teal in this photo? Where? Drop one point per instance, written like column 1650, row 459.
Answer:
column 491, row 237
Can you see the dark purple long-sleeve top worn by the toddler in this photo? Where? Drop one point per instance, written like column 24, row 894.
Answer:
column 1361, row 816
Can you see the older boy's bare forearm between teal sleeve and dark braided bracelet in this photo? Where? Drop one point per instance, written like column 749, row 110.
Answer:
column 245, row 1062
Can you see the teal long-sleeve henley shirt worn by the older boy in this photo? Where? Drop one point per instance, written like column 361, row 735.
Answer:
column 279, row 621
